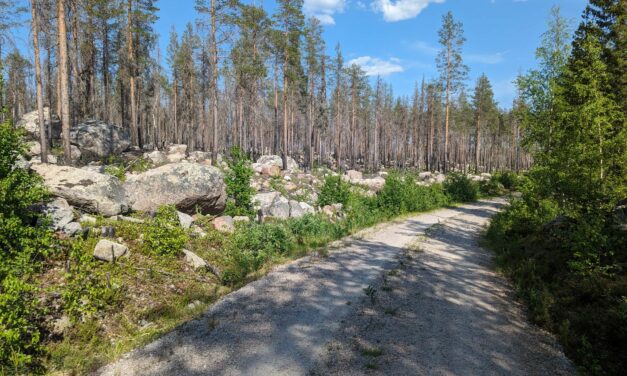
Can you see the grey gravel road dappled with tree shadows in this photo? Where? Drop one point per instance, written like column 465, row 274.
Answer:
column 437, row 311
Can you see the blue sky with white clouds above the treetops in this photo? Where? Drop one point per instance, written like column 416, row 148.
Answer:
column 398, row 38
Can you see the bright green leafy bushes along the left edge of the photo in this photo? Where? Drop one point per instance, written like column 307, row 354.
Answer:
column 22, row 249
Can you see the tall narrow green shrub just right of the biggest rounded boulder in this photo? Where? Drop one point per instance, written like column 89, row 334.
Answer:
column 237, row 179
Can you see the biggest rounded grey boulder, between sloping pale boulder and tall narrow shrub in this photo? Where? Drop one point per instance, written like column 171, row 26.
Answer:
column 188, row 186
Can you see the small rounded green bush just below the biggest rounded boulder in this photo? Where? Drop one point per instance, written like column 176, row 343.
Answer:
column 164, row 235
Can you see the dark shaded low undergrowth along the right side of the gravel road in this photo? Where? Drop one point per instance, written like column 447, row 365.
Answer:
column 568, row 273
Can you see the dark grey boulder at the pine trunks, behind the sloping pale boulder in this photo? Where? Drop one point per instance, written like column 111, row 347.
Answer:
column 97, row 139
